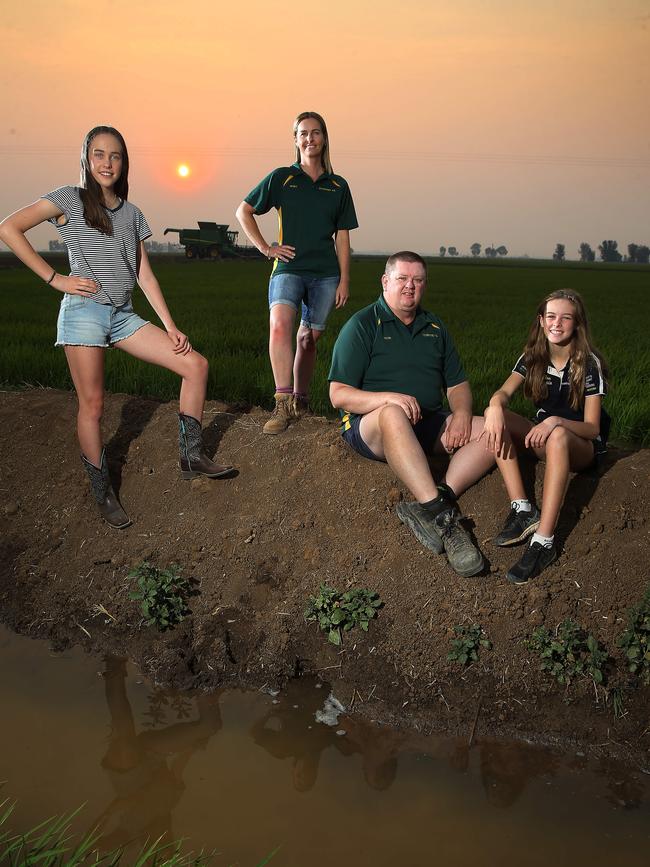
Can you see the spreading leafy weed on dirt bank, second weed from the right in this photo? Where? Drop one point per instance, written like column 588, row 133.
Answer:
column 570, row 653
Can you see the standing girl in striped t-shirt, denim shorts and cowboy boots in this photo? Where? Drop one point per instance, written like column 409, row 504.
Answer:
column 105, row 234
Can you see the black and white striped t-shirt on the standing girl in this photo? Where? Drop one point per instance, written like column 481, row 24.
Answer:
column 109, row 260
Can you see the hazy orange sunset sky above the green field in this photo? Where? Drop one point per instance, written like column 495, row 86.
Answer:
column 501, row 122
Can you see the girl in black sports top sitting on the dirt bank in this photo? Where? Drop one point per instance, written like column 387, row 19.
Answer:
column 564, row 375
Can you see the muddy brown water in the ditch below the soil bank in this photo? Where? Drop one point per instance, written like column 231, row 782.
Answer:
column 245, row 772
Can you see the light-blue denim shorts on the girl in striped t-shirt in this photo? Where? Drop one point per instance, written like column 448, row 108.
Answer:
column 84, row 322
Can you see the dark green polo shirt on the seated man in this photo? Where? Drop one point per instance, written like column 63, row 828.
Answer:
column 375, row 351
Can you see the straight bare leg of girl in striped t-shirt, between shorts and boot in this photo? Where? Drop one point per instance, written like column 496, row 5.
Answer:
column 86, row 365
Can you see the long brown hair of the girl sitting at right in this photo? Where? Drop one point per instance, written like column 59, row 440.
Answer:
column 537, row 357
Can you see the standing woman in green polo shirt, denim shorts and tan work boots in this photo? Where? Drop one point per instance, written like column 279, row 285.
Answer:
column 311, row 261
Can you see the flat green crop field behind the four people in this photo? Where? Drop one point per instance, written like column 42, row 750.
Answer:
column 488, row 307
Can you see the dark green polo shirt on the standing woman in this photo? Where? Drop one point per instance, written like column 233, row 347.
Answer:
column 309, row 214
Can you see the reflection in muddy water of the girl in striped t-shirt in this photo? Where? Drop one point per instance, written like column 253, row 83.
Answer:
column 145, row 768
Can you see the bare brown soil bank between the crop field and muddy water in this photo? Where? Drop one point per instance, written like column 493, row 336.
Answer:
column 303, row 510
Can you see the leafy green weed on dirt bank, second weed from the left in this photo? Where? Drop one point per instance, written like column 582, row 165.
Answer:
column 339, row 612
